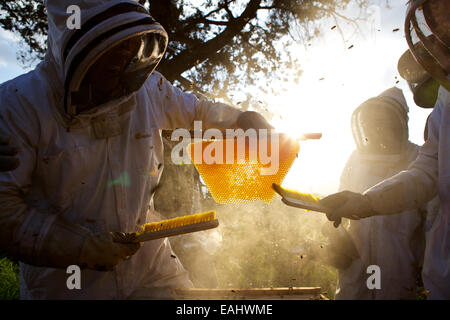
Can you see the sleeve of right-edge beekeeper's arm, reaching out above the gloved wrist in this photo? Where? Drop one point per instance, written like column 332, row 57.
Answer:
column 414, row 187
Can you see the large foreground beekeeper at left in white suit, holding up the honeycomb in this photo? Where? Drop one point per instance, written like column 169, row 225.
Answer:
column 87, row 122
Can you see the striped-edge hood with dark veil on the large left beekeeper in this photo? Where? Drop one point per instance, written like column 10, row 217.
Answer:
column 104, row 25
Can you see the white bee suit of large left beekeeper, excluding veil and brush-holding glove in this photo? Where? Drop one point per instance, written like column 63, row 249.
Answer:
column 84, row 169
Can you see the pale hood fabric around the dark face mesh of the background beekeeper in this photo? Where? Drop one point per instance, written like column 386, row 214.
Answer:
column 392, row 99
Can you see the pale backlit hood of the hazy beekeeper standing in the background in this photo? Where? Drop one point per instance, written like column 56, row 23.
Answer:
column 380, row 124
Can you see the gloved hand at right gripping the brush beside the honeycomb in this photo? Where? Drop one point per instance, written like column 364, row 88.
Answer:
column 347, row 204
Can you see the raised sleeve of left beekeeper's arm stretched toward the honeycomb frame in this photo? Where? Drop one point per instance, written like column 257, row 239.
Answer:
column 178, row 109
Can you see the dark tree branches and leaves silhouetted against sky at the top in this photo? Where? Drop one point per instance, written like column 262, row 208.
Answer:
column 215, row 45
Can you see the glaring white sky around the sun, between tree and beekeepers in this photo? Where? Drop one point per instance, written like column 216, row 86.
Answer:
column 351, row 76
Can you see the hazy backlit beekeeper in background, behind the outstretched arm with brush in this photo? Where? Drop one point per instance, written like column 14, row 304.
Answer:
column 394, row 243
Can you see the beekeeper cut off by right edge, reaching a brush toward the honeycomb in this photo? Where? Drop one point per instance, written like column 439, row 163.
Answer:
column 429, row 174
